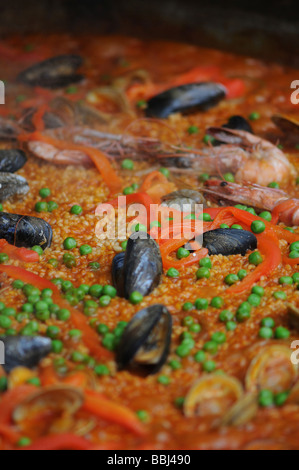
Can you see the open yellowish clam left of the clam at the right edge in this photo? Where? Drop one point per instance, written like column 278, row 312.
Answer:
column 212, row 395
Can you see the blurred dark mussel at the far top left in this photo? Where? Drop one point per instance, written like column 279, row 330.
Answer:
column 57, row 72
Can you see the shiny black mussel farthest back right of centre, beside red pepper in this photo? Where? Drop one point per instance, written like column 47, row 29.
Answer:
column 185, row 98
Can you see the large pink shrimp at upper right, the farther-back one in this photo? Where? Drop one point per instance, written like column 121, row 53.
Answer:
column 249, row 157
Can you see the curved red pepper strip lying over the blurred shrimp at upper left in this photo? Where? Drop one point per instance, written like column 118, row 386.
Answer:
column 99, row 159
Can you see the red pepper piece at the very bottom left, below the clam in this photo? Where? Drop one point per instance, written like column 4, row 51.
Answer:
column 60, row 442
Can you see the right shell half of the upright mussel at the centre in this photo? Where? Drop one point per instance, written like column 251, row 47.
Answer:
column 142, row 265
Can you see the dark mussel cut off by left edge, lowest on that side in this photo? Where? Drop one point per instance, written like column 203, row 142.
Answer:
column 26, row 351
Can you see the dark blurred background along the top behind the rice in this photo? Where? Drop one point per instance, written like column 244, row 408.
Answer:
column 262, row 29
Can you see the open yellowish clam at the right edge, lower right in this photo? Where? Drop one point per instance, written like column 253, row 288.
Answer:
column 271, row 369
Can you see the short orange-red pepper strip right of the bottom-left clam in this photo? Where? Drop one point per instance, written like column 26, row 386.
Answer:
column 112, row 412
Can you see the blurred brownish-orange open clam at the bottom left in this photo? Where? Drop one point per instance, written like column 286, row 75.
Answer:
column 59, row 401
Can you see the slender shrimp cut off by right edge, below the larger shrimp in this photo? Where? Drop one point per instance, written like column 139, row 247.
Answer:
column 282, row 206
